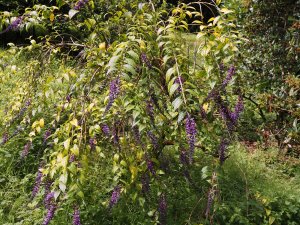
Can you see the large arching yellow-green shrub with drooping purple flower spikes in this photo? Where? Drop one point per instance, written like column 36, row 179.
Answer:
column 144, row 111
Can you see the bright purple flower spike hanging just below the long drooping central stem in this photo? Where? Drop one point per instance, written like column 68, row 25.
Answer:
column 191, row 131
